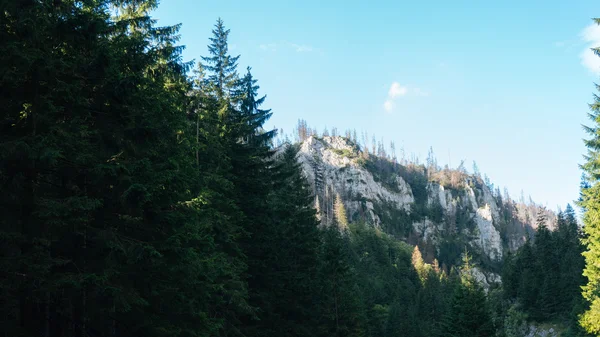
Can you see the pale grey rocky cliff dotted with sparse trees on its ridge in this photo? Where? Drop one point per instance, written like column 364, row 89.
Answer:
column 443, row 211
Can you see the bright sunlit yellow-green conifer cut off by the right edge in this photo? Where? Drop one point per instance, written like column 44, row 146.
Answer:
column 590, row 320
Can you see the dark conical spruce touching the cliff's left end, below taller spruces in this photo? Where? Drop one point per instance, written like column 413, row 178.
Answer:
column 282, row 282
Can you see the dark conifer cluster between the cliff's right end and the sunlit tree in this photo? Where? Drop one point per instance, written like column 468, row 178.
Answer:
column 545, row 275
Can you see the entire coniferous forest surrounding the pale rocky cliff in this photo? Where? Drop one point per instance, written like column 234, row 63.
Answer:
column 142, row 195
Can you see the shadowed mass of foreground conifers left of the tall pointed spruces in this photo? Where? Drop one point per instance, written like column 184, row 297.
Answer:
column 113, row 235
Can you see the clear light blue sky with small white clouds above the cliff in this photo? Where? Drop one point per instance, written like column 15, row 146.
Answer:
column 503, row 83
